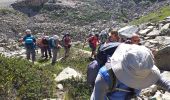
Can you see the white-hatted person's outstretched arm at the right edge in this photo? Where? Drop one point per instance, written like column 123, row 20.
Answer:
column 165, row 84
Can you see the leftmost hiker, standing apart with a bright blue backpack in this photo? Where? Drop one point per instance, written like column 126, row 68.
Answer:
column 30, row 44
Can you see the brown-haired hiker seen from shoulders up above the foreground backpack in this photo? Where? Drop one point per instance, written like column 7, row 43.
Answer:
column 113, row 36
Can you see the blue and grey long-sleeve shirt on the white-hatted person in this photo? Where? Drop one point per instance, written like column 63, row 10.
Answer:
column 101, row 89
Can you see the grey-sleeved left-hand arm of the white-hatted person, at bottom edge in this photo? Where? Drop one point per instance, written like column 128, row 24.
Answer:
column 100, row 89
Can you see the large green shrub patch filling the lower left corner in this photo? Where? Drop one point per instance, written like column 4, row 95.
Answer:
column 22, row 80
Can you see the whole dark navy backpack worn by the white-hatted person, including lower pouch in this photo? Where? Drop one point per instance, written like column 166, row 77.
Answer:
column 104, row 52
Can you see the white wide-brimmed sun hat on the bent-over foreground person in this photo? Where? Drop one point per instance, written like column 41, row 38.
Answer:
column 134, row 66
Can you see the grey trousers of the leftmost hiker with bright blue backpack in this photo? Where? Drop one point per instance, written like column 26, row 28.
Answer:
column 30, row 52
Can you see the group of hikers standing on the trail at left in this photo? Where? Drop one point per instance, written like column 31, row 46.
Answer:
column 49, row 46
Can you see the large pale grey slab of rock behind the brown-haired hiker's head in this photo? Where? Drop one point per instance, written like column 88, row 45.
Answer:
column 128, row 31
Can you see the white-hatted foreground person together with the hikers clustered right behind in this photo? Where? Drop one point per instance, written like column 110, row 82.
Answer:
column 121, row 68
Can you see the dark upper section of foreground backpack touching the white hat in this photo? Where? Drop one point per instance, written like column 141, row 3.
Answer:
column 105, row 51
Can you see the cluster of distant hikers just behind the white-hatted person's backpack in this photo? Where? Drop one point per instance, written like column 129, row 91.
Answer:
column 95, row 40
